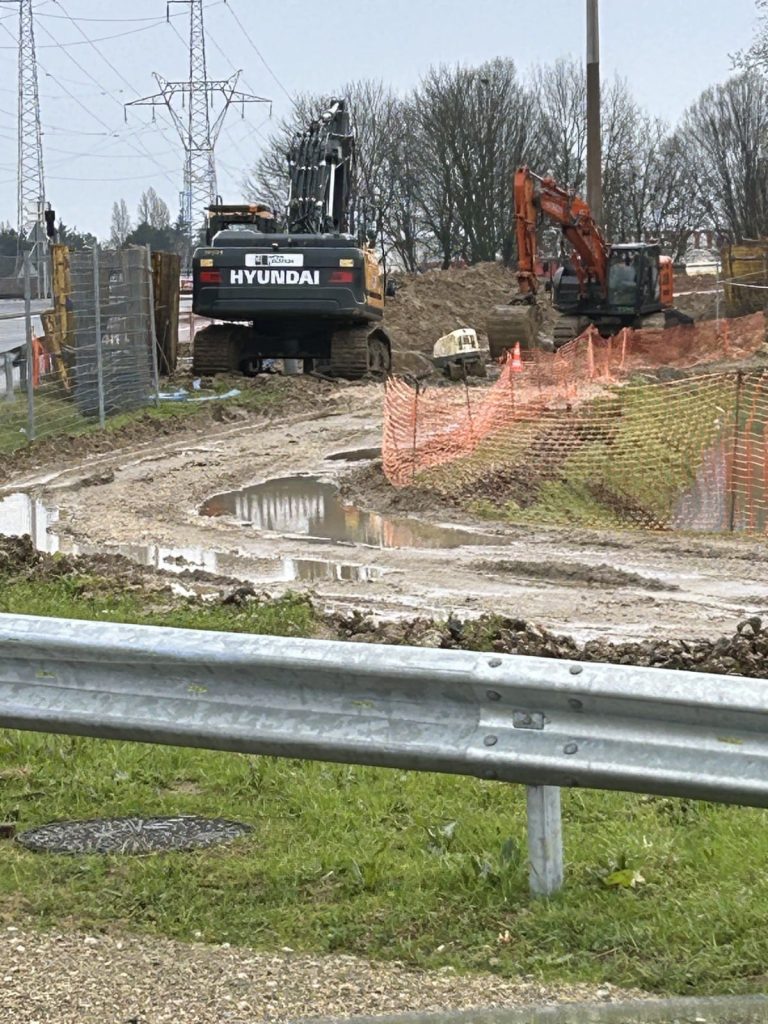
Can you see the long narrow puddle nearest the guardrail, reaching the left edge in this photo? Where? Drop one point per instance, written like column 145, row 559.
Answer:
column 21, row 515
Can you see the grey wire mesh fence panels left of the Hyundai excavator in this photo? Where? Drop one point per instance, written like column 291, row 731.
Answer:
column 73, row 361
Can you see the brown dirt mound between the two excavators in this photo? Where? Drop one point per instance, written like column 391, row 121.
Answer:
column 432, row 305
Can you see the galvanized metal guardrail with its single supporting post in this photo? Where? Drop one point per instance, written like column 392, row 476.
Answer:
column 534, row 721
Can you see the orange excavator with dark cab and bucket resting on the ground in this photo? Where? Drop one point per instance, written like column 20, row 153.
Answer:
column 610, row 286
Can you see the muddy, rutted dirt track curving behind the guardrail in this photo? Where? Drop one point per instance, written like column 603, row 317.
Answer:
column 144, row 501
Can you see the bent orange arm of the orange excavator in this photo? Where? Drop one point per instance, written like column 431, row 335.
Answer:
column 535, row 196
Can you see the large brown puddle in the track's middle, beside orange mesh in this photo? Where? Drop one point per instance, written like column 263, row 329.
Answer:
column 312, row 507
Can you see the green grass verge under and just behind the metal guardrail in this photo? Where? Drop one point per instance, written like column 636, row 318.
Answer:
column 430, row 870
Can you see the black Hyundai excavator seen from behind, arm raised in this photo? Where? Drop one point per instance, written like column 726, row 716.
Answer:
column 311, row 288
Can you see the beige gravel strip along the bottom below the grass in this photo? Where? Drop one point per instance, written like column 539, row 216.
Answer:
column 56, row 978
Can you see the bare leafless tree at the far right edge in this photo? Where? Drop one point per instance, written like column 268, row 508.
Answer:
column 724, row 134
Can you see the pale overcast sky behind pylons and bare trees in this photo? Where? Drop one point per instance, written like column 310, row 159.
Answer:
column 669, row 51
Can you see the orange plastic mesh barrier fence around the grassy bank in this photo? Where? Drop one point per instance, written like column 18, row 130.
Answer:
column 650, row 429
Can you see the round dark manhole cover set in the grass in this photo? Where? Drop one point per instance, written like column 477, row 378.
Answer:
column 132, row 835
